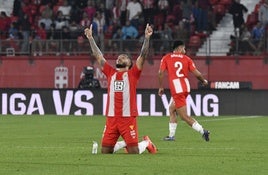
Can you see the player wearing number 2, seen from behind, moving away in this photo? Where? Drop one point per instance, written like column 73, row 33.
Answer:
column 178, row 66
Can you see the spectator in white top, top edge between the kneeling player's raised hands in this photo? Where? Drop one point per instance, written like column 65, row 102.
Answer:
column 134, row 11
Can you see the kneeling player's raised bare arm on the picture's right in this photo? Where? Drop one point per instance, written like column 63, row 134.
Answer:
column 145, row 47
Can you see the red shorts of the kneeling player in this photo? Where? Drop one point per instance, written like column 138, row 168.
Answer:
column 126, row 127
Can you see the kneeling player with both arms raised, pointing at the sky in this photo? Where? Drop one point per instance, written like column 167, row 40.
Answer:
column 121, row 110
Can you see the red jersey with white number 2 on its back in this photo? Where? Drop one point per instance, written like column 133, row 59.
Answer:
column 178, row 67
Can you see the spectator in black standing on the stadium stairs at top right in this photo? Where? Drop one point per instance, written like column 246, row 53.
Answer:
column 237, row 10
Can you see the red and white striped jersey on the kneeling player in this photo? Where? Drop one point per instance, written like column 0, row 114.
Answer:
column 121, row 101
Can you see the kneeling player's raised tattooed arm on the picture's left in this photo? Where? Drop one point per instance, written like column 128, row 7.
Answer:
column 95, row 50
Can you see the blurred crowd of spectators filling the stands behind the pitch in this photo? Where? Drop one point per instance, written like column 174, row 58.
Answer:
column 35, row 26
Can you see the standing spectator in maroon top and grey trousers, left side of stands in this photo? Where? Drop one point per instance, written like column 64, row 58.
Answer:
column 39, row 39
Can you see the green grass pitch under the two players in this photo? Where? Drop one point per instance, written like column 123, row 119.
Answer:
column 50, row 145
